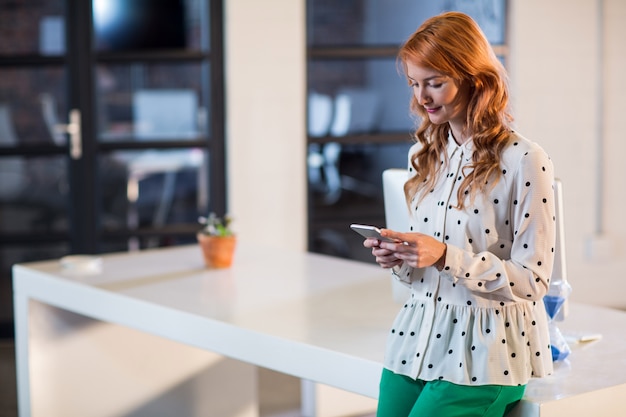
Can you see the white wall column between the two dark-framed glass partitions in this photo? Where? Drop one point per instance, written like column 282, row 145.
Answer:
column 265, row 120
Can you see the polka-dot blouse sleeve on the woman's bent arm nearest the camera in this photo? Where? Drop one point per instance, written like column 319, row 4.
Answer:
column 526, row 274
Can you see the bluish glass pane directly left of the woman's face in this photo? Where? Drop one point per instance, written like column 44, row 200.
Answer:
column 357, row 96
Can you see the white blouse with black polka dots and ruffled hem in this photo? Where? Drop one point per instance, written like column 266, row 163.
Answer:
column 450, row 330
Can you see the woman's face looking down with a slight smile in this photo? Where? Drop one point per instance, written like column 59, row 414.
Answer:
column 443, row 99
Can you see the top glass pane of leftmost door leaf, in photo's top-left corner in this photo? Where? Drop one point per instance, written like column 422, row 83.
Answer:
column 32, row 27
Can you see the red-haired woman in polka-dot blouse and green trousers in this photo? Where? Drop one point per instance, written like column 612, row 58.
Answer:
column 479, row 254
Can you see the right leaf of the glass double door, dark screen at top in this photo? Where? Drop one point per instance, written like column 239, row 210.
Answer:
column 158, row 127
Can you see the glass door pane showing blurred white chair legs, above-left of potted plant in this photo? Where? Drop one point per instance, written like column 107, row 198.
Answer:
column 153, row 188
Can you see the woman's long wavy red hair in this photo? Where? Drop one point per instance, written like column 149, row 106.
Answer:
column 453, row 44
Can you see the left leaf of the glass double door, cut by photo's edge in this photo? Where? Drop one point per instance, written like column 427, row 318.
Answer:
column 35, row 219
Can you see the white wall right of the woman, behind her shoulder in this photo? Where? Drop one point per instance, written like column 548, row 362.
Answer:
column 557, row 96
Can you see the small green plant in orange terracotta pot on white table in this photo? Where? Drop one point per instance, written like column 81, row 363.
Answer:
column 217, row 241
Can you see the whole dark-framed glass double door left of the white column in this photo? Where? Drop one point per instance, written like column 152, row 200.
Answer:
column 111, row 129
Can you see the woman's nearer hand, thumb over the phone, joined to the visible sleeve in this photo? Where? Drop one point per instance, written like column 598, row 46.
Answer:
column 416, row 249
